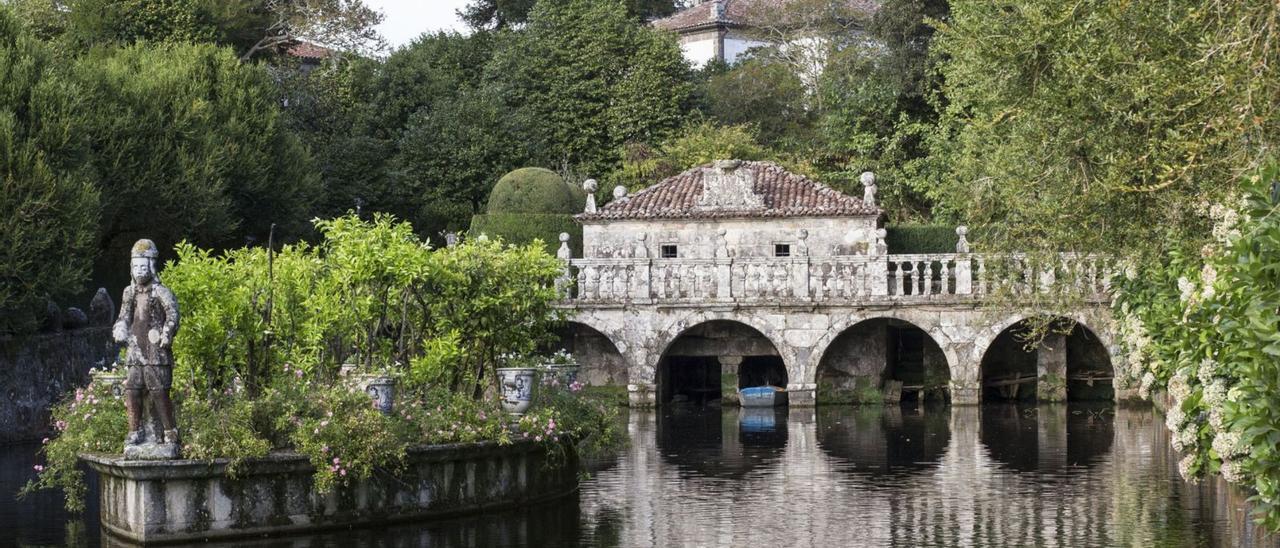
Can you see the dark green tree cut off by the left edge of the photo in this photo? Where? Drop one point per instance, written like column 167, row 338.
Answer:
column 52, row 207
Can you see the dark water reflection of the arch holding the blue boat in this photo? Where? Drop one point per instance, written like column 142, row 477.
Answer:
column 717, row 445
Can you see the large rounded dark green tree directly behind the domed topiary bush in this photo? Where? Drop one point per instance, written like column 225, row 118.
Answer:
column 583, row 79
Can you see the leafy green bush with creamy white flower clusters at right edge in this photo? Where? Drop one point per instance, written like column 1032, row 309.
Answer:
column 1206, row 328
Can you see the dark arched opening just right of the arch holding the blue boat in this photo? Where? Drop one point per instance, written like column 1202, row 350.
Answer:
column 863, row 359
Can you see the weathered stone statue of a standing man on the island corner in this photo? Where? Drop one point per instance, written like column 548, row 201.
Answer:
column 148, row 325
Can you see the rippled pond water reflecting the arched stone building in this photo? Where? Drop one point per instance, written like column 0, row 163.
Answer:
column 835, row 477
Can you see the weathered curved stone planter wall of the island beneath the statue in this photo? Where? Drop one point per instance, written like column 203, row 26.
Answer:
column 156, row 503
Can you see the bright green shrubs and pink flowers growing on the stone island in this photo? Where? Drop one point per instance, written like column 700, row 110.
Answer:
column 264, row 335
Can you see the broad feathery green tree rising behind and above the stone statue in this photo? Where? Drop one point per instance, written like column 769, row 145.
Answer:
column 191, row 144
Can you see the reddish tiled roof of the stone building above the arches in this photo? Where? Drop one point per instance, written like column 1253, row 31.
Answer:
column 784, row 194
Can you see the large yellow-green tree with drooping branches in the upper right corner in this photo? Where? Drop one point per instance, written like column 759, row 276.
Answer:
column 1101, row 126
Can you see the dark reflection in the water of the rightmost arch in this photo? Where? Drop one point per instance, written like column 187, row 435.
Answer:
column 1049, row 439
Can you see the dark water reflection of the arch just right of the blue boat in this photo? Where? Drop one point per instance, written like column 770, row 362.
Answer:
column 885, row 441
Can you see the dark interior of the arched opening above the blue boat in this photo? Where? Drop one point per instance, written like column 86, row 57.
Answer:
column 717, row 357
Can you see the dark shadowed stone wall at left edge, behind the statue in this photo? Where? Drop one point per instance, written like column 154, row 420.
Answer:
column 38, row 371
